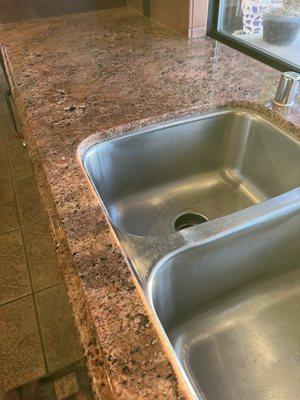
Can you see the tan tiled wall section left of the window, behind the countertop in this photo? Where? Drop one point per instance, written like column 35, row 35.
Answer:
column 187, row 17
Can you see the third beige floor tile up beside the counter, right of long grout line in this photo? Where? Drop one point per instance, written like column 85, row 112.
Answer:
column 28, row 199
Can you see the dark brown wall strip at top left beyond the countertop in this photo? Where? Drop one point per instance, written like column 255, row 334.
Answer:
column 16, row 10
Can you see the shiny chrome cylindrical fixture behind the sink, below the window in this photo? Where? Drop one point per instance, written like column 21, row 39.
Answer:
column 287, row 89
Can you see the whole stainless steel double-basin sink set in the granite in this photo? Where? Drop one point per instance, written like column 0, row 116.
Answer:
column 207, row 211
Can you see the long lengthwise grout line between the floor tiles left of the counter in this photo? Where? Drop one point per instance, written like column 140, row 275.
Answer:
column 26, row 256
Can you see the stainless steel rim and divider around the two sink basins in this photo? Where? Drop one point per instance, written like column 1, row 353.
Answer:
column 193, row 236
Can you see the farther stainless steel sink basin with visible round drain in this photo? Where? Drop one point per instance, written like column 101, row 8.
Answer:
column 175, row 175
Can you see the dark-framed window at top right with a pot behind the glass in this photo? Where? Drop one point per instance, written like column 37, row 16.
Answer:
column 266, row 29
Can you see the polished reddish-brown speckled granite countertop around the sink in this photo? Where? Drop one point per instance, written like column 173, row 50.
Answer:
column 97, row 75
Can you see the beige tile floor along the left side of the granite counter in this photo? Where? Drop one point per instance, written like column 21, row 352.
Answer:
column 37, row 334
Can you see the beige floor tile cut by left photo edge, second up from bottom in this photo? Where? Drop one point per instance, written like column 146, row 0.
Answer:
column 14, row 279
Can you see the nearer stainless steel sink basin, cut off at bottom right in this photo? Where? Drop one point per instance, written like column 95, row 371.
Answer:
column 230, row 307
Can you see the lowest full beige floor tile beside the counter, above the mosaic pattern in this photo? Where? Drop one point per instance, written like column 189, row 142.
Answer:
column 60, row 339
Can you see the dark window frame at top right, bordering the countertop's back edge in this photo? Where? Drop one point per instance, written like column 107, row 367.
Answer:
column 212, row 31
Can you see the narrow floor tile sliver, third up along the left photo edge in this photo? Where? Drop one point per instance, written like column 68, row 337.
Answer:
column 8, row 214
